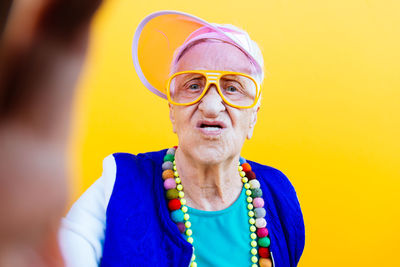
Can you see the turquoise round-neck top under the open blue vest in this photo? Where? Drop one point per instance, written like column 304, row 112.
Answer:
column 222, row 238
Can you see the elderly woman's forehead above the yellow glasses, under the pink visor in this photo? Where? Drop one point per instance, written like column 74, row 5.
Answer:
column 214, row 56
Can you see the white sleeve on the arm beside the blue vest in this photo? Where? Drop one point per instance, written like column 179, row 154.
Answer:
column 81, row 236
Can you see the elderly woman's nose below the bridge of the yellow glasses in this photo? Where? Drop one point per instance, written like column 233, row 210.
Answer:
column 211, row 103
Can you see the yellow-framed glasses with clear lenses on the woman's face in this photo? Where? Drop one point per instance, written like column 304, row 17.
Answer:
column 235, row 89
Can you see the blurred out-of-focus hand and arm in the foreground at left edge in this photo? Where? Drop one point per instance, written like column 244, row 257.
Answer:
column 43, row 46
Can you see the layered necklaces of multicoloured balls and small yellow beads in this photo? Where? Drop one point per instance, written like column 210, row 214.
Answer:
column 256, row 212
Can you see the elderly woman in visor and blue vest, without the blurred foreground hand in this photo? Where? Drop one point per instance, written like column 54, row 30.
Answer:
column 200, row 203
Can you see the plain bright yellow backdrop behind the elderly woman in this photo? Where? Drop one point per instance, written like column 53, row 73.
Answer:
column 329, row 118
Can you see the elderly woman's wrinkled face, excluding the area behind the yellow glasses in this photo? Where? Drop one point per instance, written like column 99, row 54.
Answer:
column 211, row 131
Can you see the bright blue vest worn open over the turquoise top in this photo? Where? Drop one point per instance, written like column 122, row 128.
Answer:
column 140, row 232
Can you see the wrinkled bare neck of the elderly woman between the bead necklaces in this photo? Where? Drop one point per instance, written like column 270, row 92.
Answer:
column 209, row 186
